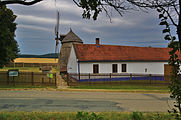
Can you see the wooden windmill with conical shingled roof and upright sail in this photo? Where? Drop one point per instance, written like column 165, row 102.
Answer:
column 66, row 43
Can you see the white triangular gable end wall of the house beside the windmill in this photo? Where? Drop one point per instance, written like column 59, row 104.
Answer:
column 72, row 66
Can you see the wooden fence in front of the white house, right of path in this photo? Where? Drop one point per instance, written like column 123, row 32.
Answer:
column 115, row 79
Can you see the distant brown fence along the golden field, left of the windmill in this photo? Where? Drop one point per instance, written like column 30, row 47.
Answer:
column 30, row 64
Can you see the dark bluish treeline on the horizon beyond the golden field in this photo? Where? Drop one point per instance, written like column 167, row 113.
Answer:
column 50, row 55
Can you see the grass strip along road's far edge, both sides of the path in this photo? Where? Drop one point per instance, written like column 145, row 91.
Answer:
column 126, row 88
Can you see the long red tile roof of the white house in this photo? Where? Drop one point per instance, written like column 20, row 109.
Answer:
column 92, row 52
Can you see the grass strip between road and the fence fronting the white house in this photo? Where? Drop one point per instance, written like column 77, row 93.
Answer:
column 122, row 87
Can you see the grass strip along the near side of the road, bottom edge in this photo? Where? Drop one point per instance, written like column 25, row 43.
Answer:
column 83, row 116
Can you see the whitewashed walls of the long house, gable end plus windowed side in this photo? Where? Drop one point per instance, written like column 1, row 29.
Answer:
column 106, row 67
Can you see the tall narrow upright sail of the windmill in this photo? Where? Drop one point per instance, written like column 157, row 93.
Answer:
column 56, row 32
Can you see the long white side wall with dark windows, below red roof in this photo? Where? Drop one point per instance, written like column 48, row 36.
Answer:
column 132, row 67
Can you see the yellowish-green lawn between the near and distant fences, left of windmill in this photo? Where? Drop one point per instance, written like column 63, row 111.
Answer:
column 27, row 69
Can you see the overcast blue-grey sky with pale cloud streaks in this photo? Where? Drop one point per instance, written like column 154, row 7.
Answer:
column 35, row 29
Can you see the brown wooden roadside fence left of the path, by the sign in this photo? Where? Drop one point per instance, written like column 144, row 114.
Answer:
column 28, row 78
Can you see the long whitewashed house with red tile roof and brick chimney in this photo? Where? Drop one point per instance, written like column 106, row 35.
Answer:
column 97, row 58
